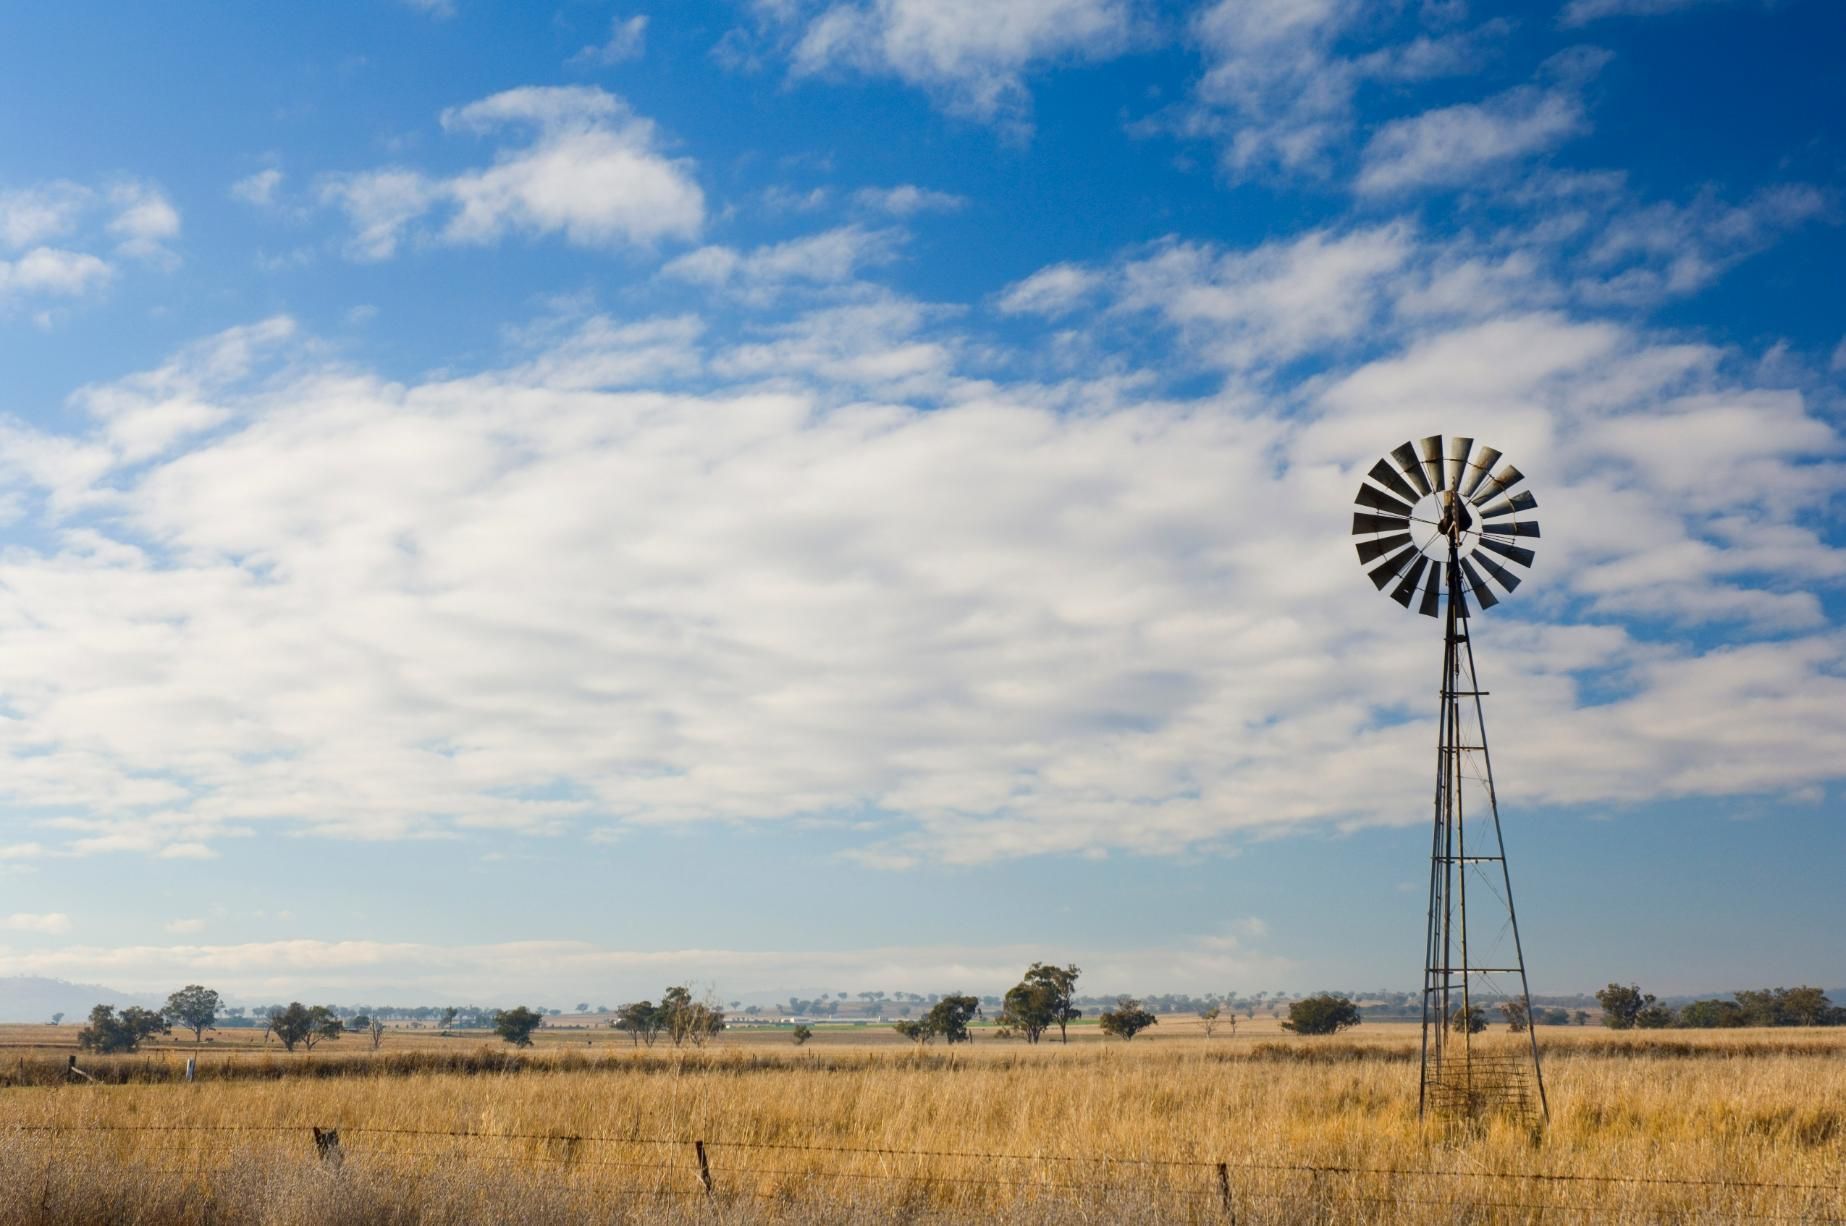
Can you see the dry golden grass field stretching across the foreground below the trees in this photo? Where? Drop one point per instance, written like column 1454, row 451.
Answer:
column 1681, row 1127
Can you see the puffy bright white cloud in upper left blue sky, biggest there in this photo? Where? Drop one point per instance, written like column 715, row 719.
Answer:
column 592, row 174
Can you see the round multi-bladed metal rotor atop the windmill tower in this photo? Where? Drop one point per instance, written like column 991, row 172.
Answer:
column 1435, row 523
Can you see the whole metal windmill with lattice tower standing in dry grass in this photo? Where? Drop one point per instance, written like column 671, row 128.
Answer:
column 1441, row 531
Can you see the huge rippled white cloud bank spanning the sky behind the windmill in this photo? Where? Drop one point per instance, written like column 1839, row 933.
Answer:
column 651, row 575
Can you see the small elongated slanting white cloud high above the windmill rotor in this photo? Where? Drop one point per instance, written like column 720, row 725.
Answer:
column 1456, row 145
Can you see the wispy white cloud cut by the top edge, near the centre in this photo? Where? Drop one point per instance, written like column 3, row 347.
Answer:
column 972, row 56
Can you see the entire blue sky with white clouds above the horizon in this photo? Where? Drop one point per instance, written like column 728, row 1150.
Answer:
column 798, row 494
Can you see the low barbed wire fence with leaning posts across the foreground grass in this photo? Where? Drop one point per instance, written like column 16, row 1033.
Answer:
column 734, row 1170
